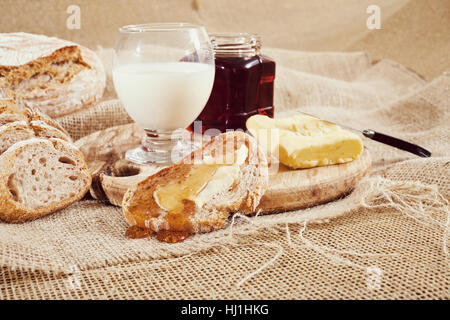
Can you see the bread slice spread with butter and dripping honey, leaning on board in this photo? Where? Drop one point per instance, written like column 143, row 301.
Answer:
column 227, row 175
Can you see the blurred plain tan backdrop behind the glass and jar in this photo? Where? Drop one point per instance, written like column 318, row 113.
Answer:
column 415, row 33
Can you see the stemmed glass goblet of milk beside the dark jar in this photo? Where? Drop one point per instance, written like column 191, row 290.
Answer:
column 163, row 74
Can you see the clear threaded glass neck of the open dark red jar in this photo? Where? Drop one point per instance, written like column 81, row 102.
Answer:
column 235, row 43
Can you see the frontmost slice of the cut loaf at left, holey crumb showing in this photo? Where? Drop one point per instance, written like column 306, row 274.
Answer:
column 40, row 176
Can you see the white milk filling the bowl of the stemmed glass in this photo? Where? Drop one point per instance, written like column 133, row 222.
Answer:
column 166, row 95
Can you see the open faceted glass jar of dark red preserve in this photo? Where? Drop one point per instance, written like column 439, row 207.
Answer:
column 243, row 83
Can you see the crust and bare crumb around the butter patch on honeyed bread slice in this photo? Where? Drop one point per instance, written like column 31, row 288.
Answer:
column 244, row 196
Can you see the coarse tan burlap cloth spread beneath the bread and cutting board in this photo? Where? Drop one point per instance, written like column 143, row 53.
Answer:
column 387, row 239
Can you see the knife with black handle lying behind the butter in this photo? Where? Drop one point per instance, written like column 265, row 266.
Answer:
column 384, row 138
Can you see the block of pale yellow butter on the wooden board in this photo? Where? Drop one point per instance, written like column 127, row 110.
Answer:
column 302, row 141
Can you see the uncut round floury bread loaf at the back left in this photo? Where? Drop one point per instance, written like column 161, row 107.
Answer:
column 58, row 76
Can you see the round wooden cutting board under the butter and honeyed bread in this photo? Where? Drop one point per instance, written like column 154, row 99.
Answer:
column 288, row 189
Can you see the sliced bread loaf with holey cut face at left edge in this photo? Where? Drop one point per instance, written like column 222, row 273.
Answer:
column 41, row 171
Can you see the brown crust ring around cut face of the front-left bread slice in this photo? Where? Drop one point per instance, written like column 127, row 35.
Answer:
column 13, row 211
